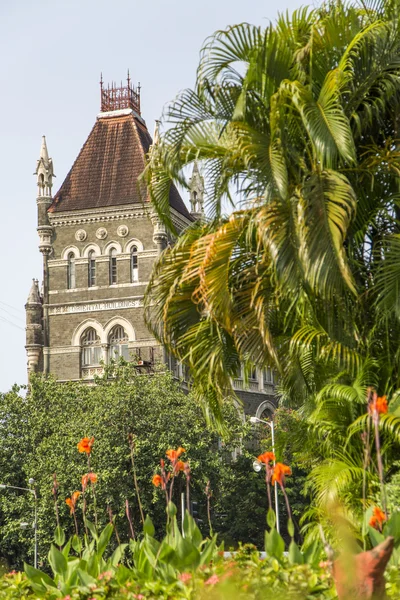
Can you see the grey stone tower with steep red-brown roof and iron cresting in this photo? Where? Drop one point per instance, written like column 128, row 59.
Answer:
column 99, row 238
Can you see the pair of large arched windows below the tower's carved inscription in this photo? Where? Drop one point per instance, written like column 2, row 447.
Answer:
column 91, row 353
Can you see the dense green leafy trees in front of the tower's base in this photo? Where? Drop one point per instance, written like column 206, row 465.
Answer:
column 39, row 434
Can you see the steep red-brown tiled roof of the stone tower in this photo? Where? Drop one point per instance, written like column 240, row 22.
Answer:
column 108, row 166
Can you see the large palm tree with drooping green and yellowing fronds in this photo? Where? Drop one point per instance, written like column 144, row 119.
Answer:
column 299, row 121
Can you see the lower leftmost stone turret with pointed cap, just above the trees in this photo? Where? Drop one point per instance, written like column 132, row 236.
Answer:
column 34, row 332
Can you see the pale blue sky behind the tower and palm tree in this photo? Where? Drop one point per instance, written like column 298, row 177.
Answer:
column 52, row 54
